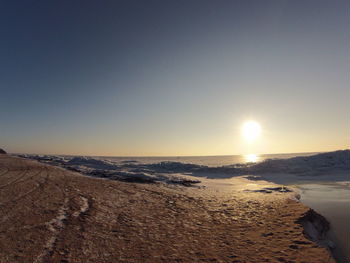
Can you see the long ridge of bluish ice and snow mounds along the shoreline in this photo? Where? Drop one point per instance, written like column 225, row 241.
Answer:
column 315, row 165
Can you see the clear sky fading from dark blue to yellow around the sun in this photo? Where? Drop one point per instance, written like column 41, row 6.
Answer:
column 170, row 78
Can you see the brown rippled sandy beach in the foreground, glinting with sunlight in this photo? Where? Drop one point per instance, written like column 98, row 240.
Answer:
column 52, row 215
